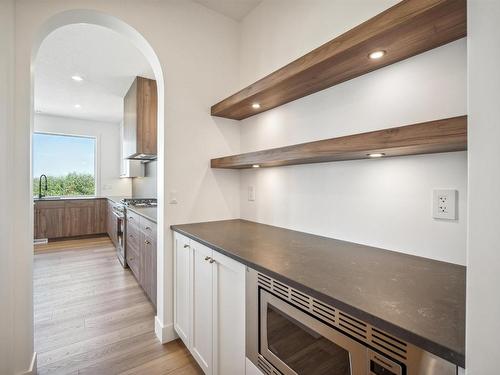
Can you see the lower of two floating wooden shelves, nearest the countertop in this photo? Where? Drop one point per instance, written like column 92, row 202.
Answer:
column 425, row 138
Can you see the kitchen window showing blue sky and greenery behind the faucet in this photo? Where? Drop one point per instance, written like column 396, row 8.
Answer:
column 68, row 161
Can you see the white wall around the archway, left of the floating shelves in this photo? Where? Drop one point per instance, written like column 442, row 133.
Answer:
column 198, row 52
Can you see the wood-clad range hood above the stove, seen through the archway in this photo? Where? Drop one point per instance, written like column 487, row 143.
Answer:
column 140, row 120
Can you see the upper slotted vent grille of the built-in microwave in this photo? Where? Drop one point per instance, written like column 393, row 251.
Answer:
column 328, row 314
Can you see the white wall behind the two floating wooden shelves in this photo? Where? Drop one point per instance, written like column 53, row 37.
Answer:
column 384, row 203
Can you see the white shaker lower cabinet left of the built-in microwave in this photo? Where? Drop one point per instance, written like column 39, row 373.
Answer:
column 209, row 301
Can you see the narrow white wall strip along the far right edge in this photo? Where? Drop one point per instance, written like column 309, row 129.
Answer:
column 483, row 250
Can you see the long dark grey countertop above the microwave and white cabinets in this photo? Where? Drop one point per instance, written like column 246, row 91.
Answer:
column 419, row 300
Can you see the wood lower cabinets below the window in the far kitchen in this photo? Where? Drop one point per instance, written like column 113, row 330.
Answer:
column 70, row 218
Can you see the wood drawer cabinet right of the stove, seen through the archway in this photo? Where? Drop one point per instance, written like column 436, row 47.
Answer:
column 141, row 252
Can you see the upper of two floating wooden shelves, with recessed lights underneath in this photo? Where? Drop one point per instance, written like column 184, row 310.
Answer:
column 404, row 30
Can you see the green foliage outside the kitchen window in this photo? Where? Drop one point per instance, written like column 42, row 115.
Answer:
column 71, row 184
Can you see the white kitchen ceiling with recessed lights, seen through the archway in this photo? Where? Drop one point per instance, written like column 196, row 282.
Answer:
column 107, row 61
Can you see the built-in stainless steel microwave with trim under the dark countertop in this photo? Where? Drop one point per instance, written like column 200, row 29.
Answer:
column 291, row 333
